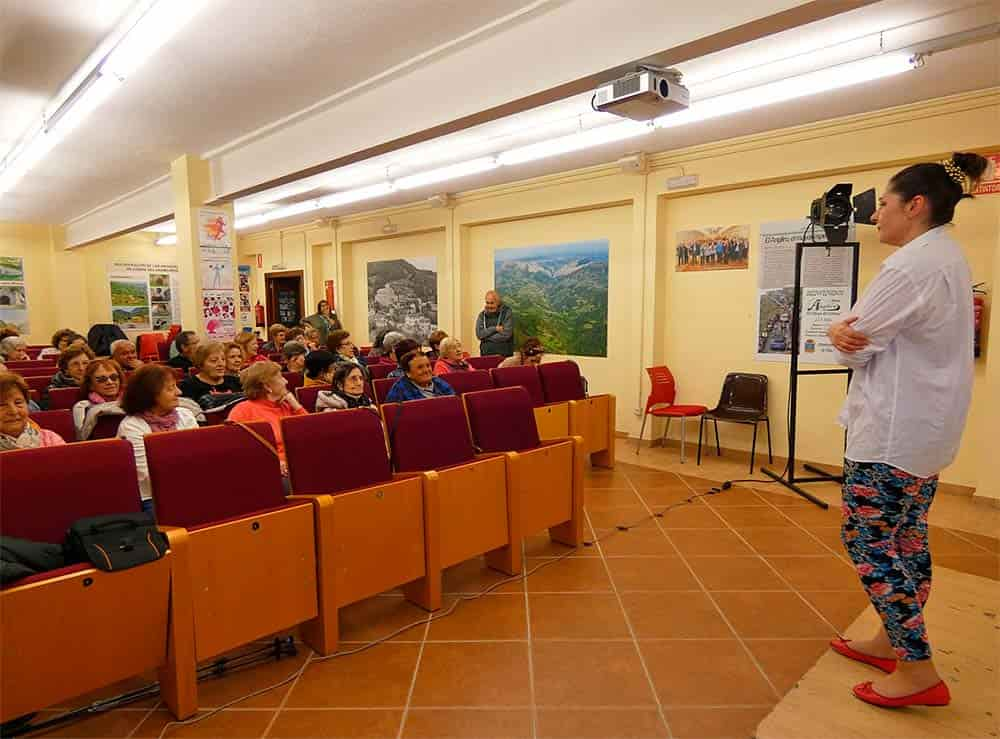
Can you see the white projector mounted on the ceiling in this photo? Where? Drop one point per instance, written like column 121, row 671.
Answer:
column 647, row 93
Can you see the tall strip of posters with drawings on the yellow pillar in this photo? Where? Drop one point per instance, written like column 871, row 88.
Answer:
column 218, row 283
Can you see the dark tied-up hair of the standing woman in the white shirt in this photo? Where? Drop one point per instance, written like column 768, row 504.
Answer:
column 934, row 182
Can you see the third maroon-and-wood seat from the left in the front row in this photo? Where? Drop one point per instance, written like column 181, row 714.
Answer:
column 379, row 523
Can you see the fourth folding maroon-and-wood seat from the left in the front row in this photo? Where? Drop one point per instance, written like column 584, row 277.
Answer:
column 468, row 491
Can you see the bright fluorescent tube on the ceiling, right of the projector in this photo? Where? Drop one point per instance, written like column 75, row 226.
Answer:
column 823, row 80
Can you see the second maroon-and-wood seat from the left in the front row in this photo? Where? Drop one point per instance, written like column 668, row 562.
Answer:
column 254, row 567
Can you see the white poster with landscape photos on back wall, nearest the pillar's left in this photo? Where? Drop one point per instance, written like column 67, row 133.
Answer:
column 144, row 296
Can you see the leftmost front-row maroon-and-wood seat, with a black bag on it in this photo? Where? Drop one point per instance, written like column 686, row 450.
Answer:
column 78, row 629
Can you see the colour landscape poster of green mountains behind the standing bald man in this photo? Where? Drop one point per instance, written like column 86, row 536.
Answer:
column 559, row 294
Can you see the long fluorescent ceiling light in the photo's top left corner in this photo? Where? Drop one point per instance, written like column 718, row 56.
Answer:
column 145, row 29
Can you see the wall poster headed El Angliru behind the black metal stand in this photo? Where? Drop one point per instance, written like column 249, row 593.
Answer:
column 826, row 292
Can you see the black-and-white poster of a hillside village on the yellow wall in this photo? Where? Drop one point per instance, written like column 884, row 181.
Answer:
column 402, row 295
